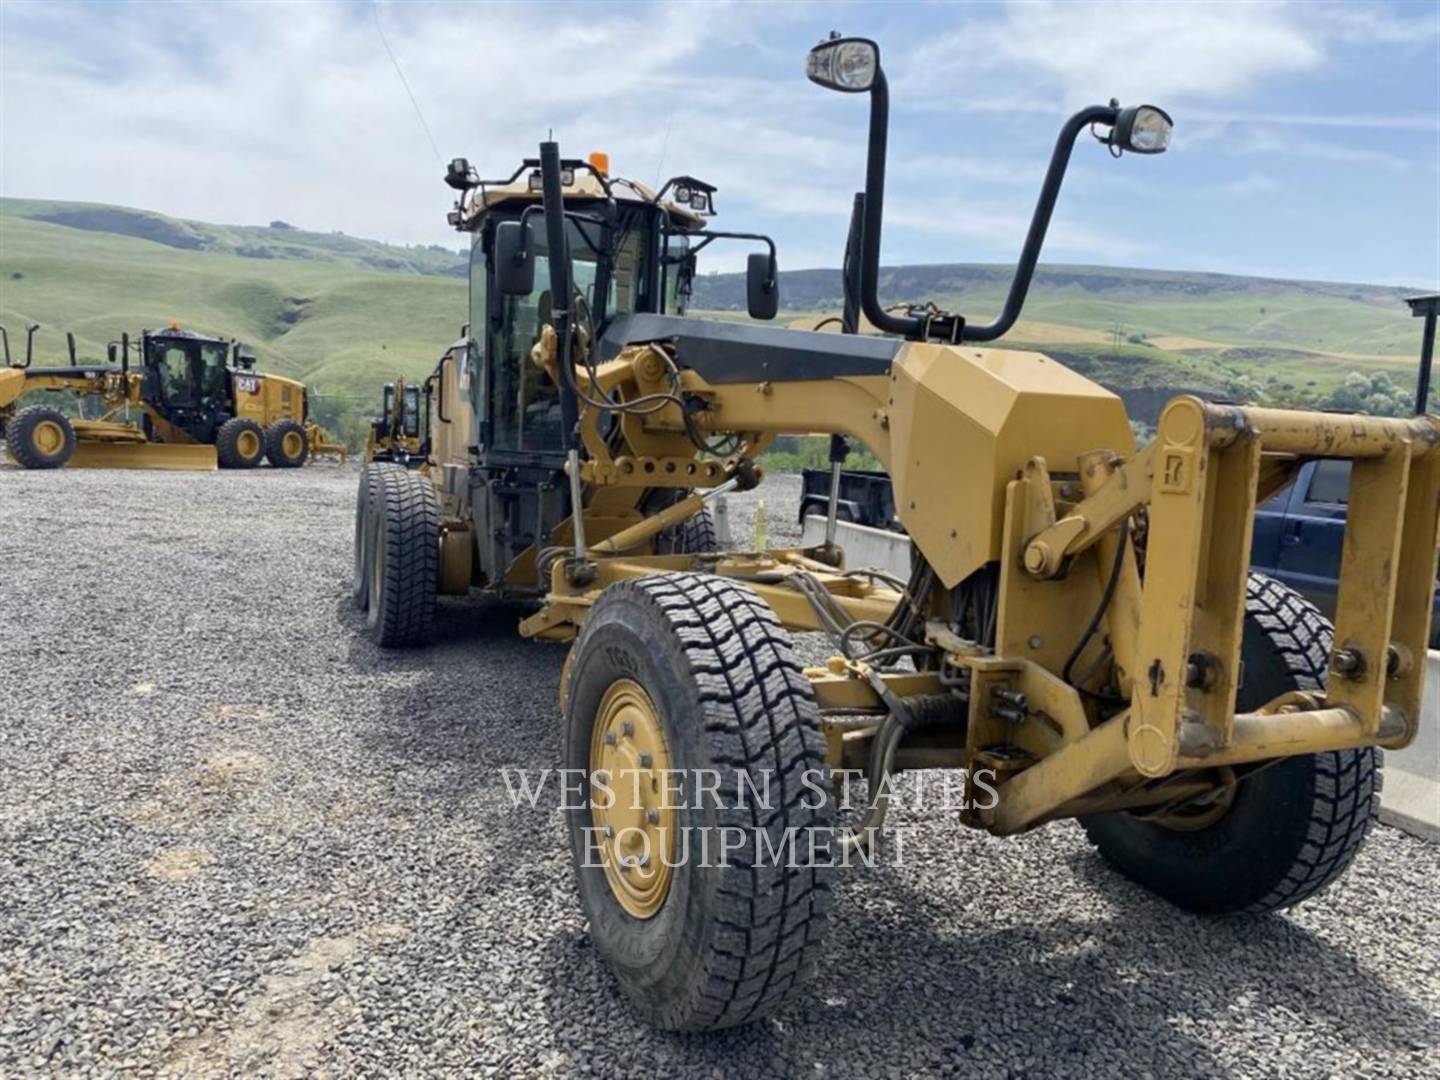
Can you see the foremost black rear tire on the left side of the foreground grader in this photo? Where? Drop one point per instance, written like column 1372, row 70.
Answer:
column 404, row 558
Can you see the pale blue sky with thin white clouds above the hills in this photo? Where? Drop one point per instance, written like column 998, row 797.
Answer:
column 1307, row 135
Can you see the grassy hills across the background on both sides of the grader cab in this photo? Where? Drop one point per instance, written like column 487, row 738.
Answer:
column 346, row 313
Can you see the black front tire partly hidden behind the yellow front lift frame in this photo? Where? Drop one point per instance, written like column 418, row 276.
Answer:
column 1295, row 826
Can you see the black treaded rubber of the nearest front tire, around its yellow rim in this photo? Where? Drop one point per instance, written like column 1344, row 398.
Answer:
column 732, row 938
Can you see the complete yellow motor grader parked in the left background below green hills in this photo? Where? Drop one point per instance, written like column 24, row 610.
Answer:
column 201, row 402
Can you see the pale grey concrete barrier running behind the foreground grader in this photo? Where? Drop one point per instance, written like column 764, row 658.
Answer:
column 1410, row 800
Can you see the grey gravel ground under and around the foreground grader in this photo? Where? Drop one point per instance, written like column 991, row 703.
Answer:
column 235, row 837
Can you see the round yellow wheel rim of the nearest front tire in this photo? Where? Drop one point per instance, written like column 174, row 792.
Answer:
column 636, row 826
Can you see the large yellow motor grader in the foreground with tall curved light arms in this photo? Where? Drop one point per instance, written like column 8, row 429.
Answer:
column 1079, row 637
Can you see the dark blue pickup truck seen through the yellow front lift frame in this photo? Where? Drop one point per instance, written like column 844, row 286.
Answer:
column 1300, row 535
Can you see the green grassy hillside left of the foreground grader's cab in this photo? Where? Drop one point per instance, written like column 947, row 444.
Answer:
column 342, row 328
